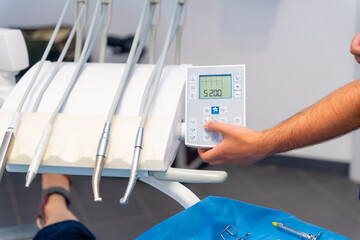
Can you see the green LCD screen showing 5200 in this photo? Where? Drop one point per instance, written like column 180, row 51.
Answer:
column 215, row 86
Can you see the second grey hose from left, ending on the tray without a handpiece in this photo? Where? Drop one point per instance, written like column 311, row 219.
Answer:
column 61, row 58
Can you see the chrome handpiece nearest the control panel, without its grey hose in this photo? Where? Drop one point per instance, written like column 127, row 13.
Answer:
column 134, row 167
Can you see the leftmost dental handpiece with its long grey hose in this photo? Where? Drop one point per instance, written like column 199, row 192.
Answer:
column 12, row 128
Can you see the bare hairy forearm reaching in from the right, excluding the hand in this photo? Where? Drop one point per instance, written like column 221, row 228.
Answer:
column 336, row 114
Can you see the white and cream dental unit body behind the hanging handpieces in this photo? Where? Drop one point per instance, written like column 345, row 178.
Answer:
column 77, row 130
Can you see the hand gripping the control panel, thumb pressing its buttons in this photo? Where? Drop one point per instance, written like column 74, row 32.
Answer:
column 240, row 145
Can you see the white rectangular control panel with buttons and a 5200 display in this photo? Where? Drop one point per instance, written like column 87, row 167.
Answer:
column 213, row 93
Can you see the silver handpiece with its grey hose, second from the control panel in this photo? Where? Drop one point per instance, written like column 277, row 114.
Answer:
column 134, row 55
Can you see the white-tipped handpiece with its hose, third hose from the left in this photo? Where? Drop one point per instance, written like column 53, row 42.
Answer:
column 85, row 54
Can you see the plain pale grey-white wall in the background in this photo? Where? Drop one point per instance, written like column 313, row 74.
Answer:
column 296, row 51
